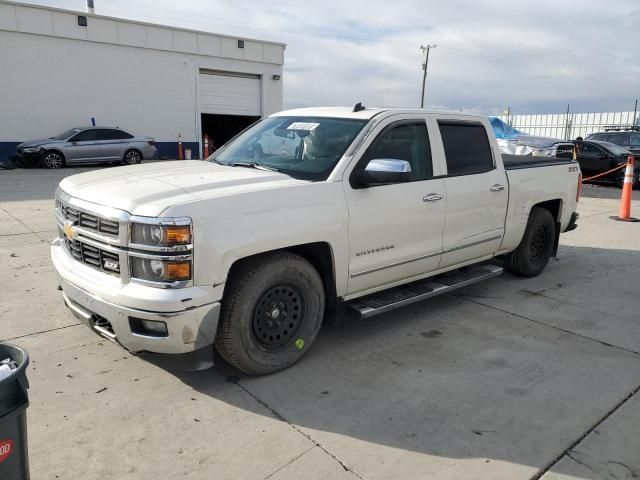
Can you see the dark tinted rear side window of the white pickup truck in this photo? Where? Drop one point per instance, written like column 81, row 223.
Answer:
column 466, row 147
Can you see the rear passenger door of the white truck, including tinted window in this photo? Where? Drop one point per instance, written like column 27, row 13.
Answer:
column 476, row 189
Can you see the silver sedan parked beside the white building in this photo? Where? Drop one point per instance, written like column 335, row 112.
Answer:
column 86, row 145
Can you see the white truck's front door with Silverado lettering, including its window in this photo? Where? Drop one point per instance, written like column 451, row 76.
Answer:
column 395, row 230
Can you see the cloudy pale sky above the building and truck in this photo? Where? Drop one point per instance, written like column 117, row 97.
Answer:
column 532, row 56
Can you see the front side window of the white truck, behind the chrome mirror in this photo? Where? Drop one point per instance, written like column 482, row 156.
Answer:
column 406, row 141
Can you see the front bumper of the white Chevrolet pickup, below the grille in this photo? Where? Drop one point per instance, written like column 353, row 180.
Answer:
column 189, row 313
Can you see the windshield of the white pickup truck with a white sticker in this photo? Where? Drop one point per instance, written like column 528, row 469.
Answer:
column 303, row 147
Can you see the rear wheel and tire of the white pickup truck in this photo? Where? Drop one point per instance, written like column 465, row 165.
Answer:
column 533, row 253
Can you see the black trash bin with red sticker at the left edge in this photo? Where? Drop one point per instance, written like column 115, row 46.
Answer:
column 14, row 457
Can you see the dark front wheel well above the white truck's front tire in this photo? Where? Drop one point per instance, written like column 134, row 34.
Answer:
column 319, row 255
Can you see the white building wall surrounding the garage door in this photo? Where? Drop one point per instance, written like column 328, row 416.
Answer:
column 140, row 77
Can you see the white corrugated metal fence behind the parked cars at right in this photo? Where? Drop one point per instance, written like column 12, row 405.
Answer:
column 578, row 124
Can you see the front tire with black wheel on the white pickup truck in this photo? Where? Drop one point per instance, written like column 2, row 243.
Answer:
column 261, row 292
